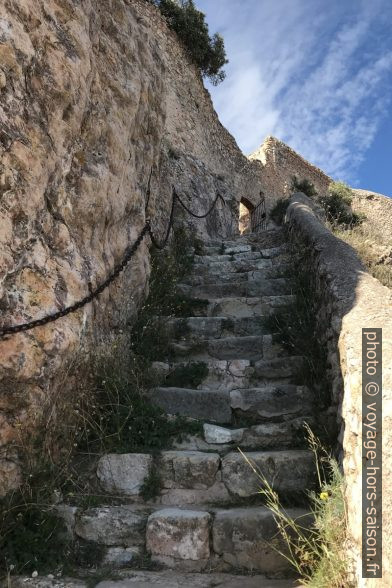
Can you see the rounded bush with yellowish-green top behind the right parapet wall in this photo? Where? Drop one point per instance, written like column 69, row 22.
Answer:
column 337, row 205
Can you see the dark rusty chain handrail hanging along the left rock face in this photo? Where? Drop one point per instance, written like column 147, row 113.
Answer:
column 129, row 253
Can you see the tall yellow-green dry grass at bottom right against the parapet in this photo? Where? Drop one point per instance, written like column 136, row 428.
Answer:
column 315, row 544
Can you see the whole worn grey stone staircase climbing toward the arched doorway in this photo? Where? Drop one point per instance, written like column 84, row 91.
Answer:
column 209, row 516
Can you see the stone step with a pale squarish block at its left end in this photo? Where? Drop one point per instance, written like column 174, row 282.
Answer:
column 195, row 477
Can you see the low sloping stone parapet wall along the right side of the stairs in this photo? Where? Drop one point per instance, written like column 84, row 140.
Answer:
column 351, row 300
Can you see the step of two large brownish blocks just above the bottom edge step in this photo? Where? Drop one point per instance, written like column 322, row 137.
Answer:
column 233, row 539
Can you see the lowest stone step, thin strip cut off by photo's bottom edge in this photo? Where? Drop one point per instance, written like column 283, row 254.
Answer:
column 170, row 579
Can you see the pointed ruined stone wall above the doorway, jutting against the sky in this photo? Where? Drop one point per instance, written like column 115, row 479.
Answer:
column 279, row 164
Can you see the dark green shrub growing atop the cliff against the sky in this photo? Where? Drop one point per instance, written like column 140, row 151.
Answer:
column 208, row 53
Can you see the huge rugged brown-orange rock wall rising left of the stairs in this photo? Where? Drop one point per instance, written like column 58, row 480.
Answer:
column 93, row 96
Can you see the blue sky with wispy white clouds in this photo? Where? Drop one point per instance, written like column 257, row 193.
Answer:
column 316, row 74
